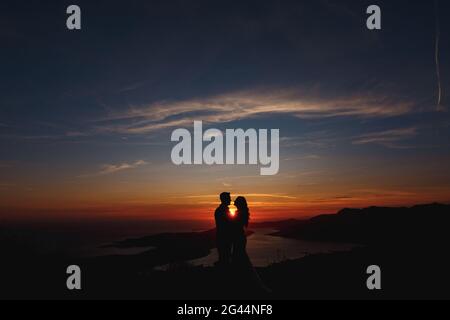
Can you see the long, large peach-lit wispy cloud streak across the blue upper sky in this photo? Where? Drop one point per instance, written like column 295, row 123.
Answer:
column 247, row 104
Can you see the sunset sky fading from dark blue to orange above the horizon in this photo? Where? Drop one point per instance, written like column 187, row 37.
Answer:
column 86, row 116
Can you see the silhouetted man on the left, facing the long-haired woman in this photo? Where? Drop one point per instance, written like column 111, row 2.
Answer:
column 223, row 238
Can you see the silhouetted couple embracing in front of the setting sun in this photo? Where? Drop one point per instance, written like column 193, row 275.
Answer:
column 231, row 226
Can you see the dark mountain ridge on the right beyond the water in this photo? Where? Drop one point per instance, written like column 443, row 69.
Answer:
column 375, row 225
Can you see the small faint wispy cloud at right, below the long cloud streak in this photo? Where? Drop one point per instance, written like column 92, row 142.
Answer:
column 386, row 138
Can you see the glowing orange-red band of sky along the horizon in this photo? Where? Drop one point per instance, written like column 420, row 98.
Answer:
column 264, row 206
